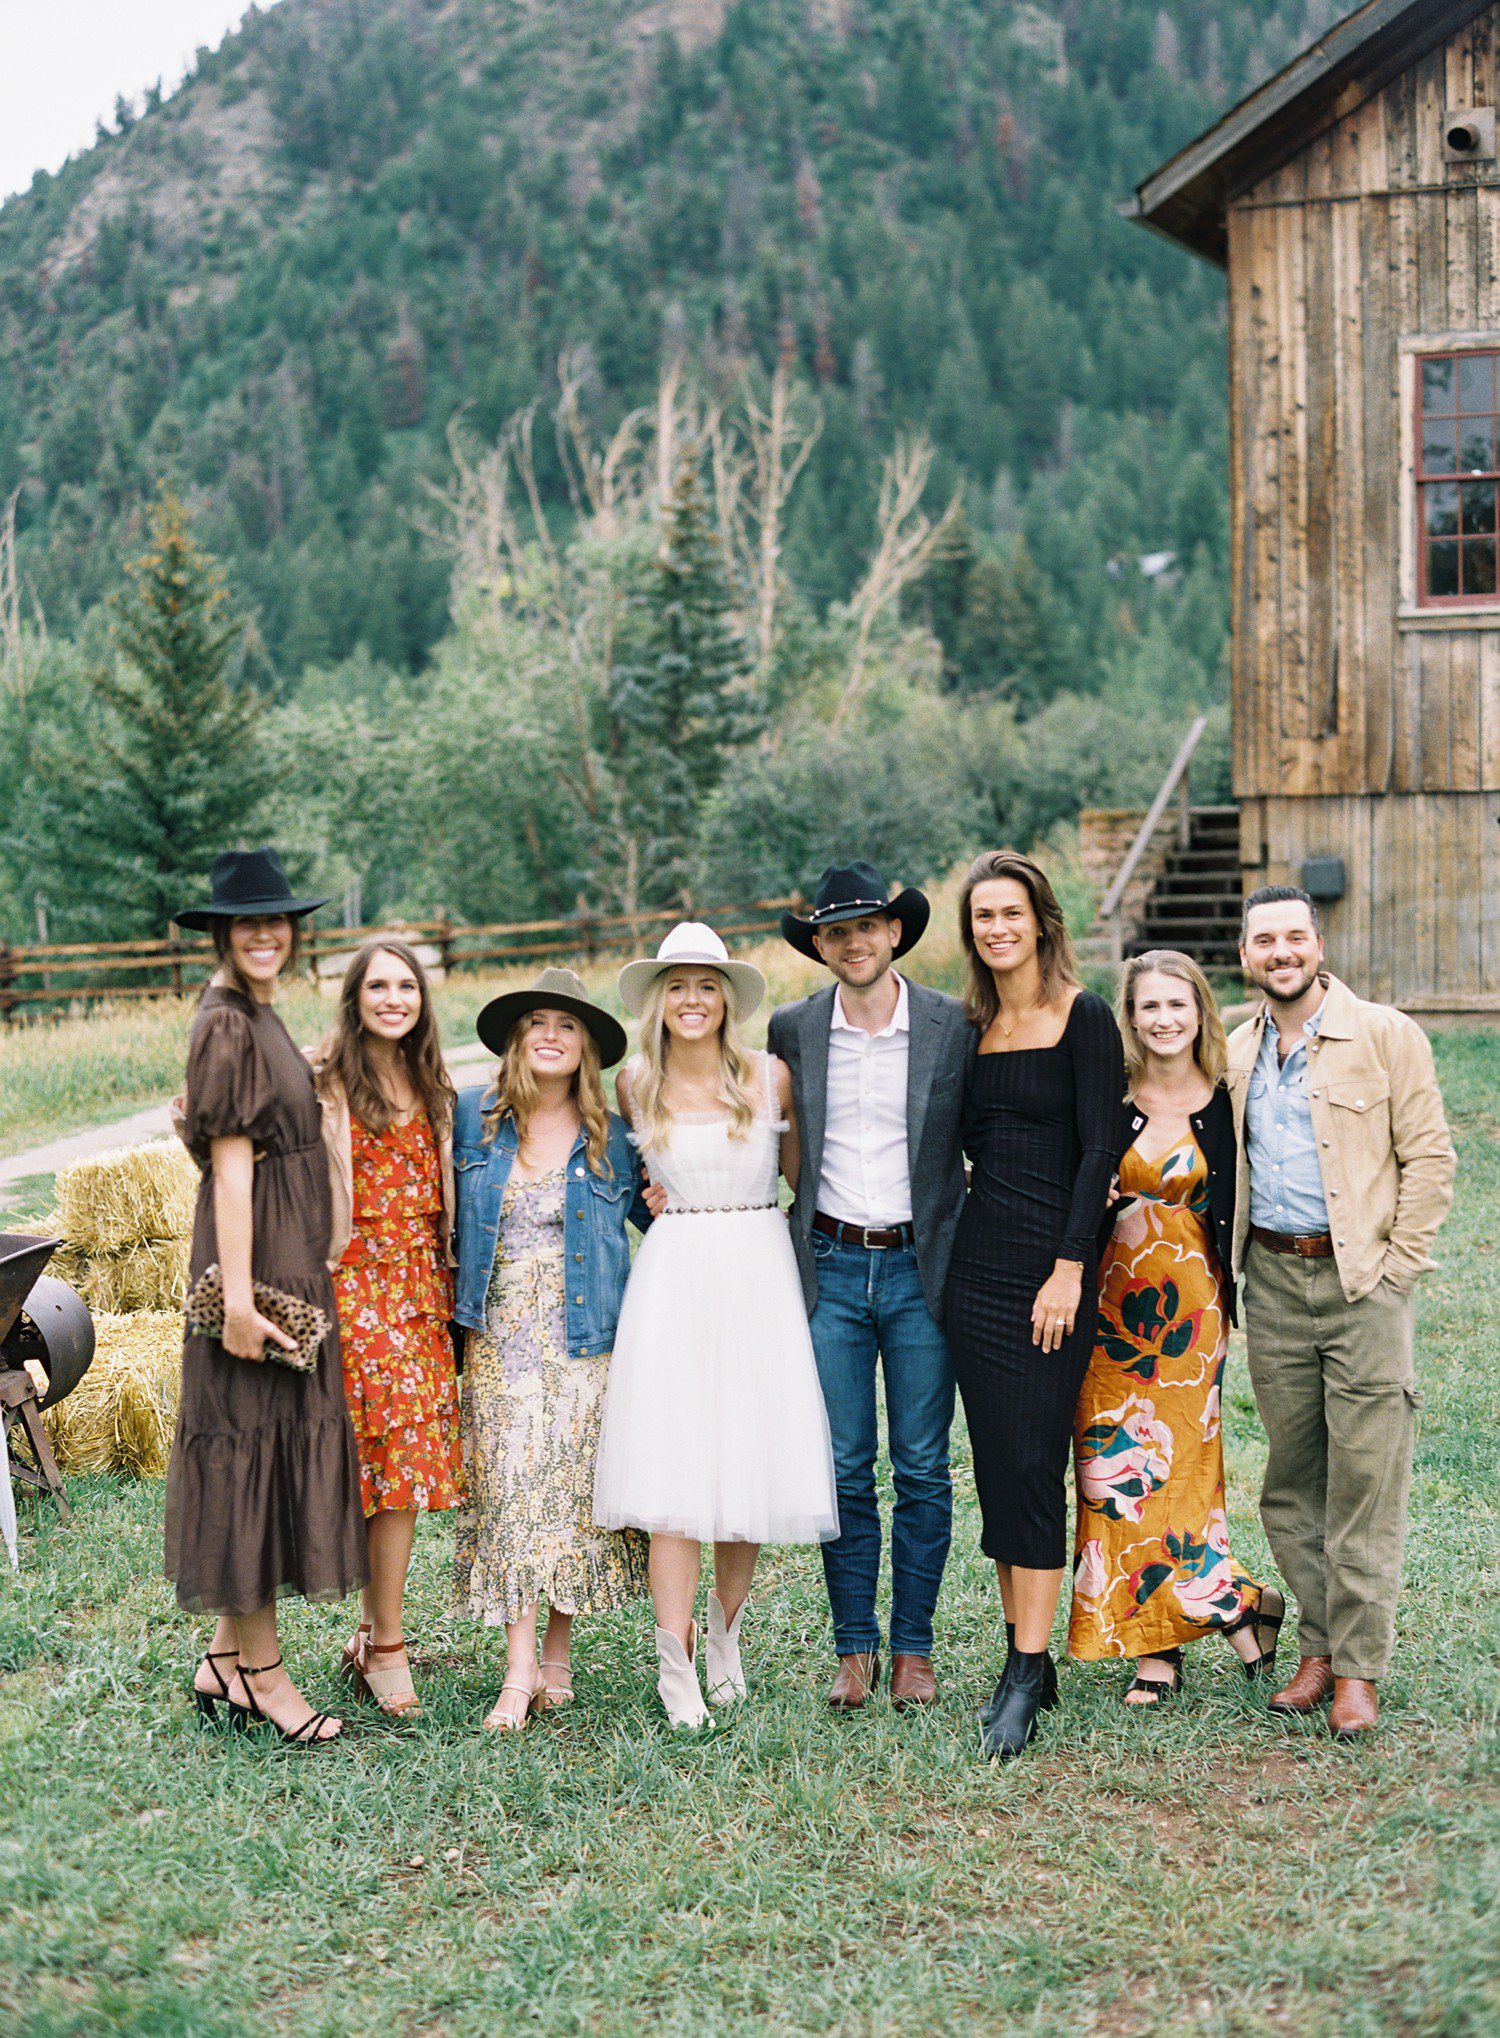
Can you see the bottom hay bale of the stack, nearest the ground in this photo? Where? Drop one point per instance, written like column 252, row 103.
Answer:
column 125, row 1409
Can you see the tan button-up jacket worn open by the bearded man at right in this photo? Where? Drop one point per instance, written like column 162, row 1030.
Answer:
column 1383, row 1138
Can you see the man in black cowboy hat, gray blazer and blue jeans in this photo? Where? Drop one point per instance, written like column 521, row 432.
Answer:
column 877, row 1069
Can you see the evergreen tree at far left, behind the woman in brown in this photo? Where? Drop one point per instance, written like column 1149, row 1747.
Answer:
column 170, row 769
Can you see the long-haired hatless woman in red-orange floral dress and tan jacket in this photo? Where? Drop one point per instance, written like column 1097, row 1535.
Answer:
column 388, row 1128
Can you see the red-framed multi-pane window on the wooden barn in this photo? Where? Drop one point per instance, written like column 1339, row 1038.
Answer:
column 1458, row 480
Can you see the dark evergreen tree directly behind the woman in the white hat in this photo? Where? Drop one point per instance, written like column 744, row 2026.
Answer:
column 678, row 698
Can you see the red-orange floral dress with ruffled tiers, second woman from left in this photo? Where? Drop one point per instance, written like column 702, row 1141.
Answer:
column 394, row 1303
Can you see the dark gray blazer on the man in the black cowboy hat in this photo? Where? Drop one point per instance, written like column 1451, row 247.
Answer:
column 941, row 1051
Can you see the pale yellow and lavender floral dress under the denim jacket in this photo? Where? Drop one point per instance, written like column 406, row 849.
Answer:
column 531, row 1434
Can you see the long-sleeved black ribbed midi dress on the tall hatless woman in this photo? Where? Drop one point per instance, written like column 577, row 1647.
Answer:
column 1040, row 1130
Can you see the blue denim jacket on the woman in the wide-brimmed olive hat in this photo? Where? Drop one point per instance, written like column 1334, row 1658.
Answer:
column 594, row 1224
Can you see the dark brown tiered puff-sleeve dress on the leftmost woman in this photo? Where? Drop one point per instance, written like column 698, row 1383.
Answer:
column 264, row 1481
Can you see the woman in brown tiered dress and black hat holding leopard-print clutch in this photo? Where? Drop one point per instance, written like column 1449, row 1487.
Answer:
column 264, row 1479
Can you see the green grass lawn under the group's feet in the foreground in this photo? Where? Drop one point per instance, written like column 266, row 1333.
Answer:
column 796, row 1872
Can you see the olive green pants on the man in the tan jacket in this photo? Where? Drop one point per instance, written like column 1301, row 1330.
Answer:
column 1336, row 1391
